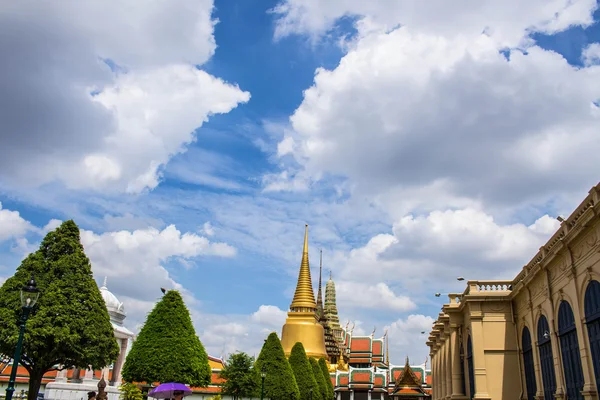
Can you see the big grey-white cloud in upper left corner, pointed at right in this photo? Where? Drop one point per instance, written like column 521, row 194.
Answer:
column 134, row 118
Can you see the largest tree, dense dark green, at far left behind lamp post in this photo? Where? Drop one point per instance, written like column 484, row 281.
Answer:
column 69, row 326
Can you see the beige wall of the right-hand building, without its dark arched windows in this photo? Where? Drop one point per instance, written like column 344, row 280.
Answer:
column 494, row 313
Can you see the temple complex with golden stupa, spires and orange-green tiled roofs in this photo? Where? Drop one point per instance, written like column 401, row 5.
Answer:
column 359, row 366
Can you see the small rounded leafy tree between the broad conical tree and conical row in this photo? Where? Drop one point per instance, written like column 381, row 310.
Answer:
column 241, row 378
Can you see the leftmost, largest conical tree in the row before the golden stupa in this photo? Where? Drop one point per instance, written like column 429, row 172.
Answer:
column 280, row 383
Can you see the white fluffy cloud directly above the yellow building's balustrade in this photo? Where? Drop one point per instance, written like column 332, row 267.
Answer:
column 425, row 254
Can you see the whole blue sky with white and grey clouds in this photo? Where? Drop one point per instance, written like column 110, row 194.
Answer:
column 192, row 140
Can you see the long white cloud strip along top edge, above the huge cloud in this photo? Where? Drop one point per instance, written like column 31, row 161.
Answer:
column 496, row 19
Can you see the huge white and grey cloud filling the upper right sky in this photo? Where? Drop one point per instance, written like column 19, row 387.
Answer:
column 452, row 113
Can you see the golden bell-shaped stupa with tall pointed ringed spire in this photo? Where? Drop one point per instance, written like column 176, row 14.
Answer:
column 301, row 324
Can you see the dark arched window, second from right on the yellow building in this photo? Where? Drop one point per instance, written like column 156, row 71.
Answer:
column 569, row 346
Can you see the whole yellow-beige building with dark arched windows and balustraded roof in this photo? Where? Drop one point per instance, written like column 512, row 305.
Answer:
column 536, row 336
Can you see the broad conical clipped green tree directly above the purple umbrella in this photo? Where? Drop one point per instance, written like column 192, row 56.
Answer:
column 167, row 348
